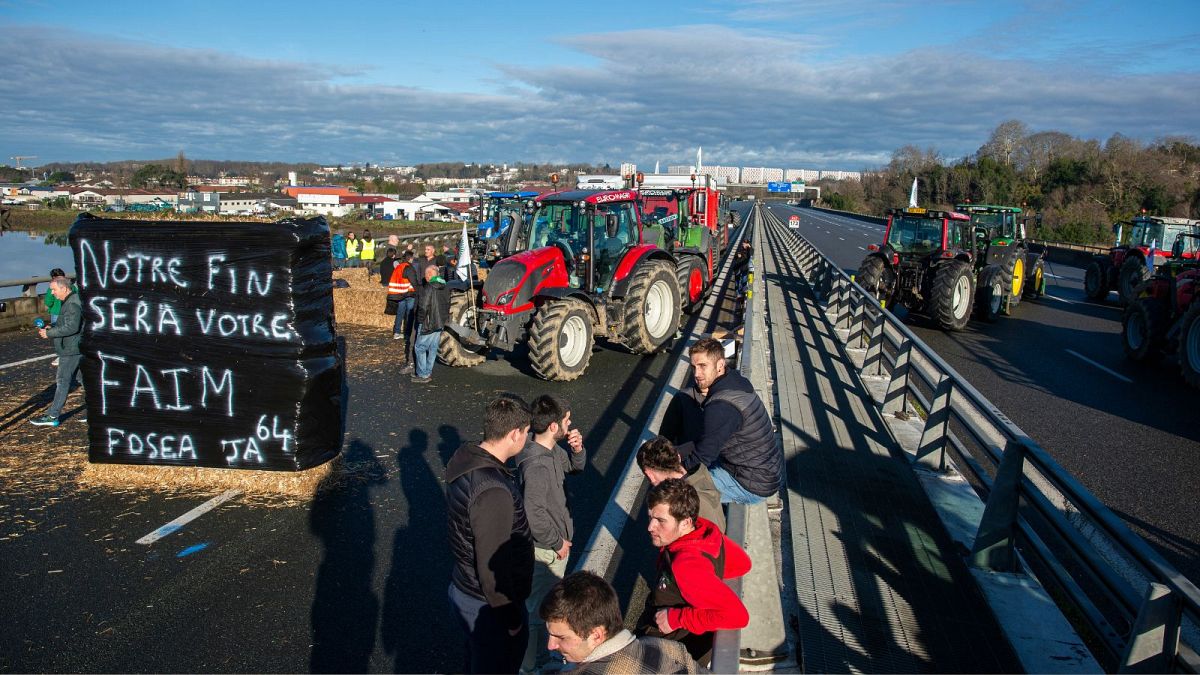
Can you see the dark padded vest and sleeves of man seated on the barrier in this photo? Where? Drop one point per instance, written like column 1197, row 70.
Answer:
column 740, row 434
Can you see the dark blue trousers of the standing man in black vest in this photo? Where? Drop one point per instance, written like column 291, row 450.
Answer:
column 490, row 648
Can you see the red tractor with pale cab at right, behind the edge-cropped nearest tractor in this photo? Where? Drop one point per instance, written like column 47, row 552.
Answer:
column 1124, row 267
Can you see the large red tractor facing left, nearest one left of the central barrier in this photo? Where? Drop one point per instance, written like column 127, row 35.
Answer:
column 587, row 268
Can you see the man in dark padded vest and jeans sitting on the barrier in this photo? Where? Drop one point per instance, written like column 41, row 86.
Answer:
column 737, row 443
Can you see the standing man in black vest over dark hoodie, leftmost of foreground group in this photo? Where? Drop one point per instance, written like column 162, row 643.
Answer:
column 491, row 542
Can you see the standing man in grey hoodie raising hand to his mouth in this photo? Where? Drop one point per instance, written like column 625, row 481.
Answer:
column 542, row 468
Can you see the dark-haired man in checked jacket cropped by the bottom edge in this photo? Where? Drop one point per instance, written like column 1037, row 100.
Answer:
column 585, row 623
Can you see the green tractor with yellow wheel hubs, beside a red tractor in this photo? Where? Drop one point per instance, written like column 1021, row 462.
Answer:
column 1000, row 234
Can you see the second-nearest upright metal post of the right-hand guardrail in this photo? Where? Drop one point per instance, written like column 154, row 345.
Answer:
column 995, row 541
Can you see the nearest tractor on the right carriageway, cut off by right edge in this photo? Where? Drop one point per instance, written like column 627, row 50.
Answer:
column 1165, row 319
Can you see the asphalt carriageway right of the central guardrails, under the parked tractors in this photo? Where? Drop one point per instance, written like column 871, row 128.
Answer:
column 1058, row 369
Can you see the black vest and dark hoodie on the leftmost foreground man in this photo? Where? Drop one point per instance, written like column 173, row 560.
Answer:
column 489, row 533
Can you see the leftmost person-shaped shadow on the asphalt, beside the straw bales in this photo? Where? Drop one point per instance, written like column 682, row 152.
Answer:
column 345, row 608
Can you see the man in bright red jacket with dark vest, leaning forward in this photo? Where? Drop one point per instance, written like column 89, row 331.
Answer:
column 691, row 599
